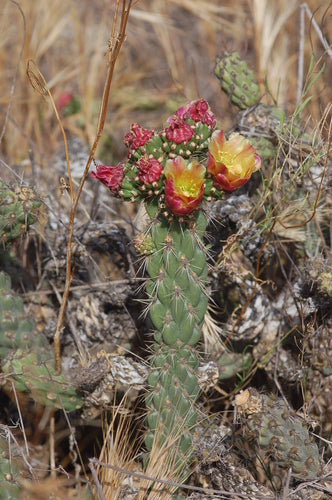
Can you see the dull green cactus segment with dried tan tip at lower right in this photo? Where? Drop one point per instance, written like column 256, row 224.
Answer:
column 279, row 432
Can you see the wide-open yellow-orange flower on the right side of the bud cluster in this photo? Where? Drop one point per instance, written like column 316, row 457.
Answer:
column 231, row 163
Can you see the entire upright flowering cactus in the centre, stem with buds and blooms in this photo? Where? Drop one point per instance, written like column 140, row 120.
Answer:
column 169, row 172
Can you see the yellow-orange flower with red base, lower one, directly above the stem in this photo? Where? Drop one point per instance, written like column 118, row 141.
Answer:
column 184, row 185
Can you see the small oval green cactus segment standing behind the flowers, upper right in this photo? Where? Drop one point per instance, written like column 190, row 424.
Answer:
column 237, row 80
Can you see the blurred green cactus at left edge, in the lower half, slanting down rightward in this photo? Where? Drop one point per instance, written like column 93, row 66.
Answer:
column 28, row 359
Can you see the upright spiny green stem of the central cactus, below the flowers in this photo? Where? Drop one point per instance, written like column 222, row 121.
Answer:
column 178, row 272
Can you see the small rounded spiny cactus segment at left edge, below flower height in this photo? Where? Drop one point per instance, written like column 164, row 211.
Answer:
column 19, row 208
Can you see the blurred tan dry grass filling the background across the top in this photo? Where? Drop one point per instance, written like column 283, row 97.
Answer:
column 168, row 57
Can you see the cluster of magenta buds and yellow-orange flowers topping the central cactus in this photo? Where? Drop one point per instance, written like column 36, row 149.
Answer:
column 185, row 163
